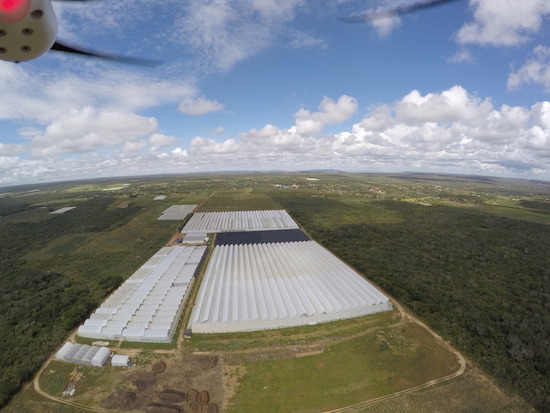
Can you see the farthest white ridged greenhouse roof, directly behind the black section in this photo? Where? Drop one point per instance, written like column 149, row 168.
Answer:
column 239, row 221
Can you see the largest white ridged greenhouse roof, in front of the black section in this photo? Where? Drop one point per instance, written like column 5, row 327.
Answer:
column 264, row 286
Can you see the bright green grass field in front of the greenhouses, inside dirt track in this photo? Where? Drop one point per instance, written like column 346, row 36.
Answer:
column 375, row 365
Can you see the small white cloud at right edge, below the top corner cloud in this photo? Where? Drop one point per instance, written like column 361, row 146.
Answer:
column 536, row 70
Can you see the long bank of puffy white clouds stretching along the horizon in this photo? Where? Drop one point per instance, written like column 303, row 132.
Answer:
column 452, row 130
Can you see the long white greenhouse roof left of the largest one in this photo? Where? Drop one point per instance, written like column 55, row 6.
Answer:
column 151, row 300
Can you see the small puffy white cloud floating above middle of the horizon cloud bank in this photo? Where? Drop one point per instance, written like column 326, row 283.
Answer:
column 331, row 112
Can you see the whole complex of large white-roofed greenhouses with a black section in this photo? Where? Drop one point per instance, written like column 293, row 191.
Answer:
column 263, row 273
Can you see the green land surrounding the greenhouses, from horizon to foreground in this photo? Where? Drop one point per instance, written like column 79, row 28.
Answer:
column 466, row 256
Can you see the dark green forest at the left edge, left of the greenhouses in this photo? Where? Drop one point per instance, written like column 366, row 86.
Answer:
column 38, row 307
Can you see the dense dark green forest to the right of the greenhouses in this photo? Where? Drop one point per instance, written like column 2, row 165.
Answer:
column 480, row 280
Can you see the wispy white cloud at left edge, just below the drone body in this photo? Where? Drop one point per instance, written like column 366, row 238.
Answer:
column 42, row 96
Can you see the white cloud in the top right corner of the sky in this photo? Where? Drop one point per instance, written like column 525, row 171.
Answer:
column 503, row 22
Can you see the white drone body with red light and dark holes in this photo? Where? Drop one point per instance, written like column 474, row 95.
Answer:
column 28, row 29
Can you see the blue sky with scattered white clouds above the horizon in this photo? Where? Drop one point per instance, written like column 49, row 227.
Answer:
column 261, row 85
